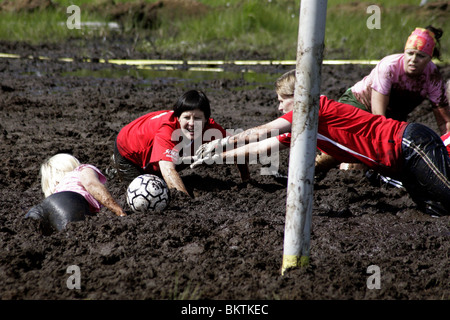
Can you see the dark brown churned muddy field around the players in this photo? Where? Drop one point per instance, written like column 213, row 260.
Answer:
column 227, row 243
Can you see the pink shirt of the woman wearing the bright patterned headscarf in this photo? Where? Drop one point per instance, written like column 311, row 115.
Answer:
column 405, row 93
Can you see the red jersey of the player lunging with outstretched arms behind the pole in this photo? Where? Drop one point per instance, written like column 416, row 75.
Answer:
column 350, row 135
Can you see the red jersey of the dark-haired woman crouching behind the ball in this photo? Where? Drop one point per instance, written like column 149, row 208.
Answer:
column 156, row 136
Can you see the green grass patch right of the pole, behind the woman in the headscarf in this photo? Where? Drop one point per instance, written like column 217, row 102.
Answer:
column 348, row 35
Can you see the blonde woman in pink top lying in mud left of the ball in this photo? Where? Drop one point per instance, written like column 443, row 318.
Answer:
column 72, row 190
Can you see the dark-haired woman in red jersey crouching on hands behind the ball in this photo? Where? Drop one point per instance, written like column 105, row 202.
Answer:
column 157, row 142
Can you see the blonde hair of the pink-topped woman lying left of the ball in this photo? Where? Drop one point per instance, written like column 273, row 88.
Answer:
column 54, row 169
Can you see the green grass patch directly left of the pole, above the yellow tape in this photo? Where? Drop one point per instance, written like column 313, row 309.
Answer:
column 247, row 27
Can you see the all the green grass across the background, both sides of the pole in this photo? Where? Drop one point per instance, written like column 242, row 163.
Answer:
column 253, row 26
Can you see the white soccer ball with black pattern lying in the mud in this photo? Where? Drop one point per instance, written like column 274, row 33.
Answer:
column 148, row 192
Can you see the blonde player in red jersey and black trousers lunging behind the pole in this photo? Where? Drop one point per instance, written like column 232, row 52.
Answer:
column 410, row 152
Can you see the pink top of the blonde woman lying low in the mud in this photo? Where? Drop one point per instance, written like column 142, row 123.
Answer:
column 71, row 182
